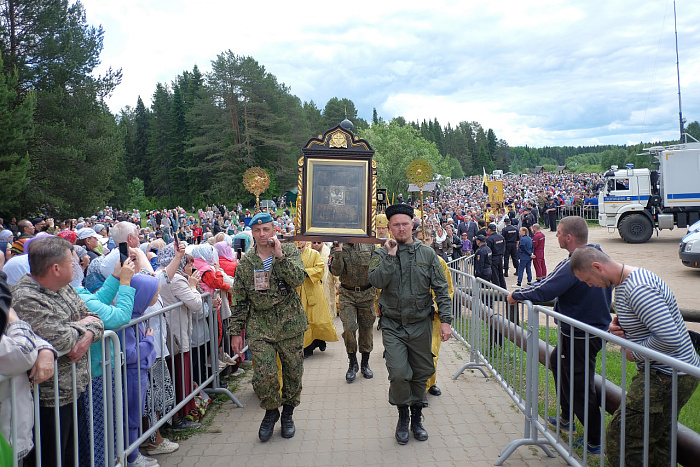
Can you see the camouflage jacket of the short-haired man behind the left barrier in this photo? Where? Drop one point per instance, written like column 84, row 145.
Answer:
column 54, row 317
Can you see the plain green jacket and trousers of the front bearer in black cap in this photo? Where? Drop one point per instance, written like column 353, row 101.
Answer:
column 407, row 280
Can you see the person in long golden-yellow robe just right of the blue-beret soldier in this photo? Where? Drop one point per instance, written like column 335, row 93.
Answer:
column 321, row 328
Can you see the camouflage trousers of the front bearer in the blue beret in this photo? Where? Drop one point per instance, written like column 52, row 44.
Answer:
column 265, row 380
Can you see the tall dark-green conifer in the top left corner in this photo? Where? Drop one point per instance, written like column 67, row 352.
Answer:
column 76, row 146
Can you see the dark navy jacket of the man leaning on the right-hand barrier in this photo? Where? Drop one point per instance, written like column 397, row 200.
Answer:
column 574, row 298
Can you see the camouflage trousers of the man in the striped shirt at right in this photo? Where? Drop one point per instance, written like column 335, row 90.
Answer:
column 660, row 418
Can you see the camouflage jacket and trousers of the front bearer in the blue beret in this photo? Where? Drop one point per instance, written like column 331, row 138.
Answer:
column 275, row 323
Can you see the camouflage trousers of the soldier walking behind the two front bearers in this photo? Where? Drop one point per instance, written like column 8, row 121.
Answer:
column 357, row 314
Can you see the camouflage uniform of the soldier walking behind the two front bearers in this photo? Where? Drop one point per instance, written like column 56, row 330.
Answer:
column 356, row 306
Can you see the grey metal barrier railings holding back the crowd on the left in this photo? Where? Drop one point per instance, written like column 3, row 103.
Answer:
column 113, row 430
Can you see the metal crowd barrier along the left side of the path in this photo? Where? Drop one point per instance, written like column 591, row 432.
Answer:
column 103, row 425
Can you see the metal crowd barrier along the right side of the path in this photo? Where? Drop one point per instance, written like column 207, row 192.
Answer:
column 499, row 338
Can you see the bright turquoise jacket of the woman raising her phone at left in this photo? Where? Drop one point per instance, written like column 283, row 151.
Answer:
column 113, row 317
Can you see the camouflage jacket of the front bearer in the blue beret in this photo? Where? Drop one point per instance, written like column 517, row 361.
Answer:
column 275, row 314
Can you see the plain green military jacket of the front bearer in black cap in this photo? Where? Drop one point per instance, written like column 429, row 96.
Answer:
column 406, row 281
